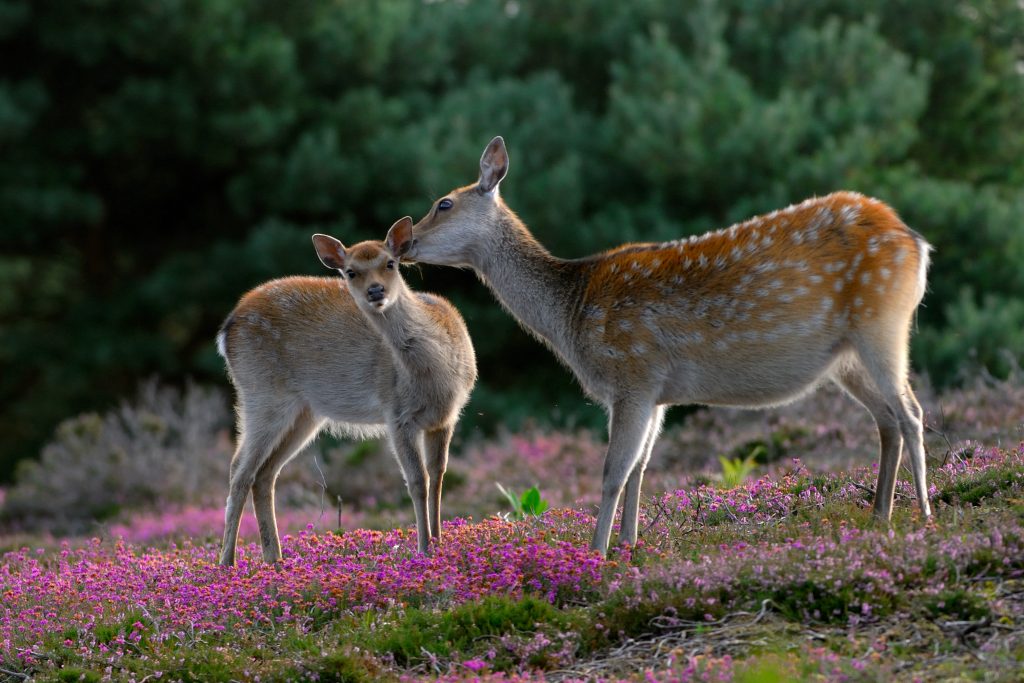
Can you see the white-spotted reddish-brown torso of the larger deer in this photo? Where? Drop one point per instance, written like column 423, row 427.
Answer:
column 758, row 310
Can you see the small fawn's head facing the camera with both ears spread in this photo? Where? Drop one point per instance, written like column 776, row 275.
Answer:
column 370, row 269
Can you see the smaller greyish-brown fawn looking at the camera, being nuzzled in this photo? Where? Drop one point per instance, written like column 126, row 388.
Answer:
column 365, row 356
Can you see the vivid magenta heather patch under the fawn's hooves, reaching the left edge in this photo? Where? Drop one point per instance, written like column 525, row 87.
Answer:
column 180, row 593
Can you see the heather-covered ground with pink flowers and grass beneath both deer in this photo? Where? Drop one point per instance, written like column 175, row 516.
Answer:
column 785, row 577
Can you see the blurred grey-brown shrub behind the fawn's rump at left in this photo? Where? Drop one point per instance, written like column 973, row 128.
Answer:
column 168, row 447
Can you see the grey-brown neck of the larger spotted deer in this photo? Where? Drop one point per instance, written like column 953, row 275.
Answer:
column 541, row 291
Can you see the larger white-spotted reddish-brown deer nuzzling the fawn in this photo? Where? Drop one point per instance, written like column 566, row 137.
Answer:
column 753, row 316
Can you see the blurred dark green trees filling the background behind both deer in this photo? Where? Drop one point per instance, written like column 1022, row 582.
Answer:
column 158, row 158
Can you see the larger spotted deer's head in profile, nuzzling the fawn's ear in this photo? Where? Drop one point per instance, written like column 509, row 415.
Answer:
column 457, row 226
